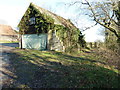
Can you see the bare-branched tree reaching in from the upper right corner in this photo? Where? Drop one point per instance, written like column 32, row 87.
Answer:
column 106, row 13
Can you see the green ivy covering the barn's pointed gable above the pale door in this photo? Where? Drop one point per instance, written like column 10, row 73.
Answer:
column 43, row 23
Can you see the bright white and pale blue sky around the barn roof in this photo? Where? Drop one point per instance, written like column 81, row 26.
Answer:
column 11, row 12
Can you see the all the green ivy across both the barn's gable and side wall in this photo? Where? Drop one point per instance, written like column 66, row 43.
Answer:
column 43, row 23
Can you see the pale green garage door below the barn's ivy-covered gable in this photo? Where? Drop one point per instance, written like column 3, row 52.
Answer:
column 34, row 41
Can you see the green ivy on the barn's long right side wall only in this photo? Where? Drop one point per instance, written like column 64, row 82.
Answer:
column 70, row 37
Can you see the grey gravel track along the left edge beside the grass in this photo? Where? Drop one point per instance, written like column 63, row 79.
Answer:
column 5, row 72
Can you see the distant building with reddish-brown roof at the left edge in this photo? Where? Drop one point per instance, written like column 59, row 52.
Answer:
column 7, row 34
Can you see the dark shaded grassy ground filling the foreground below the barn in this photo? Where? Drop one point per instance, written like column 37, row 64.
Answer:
column 42, row 73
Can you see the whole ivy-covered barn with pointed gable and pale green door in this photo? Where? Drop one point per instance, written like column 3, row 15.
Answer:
column 43, row 30
